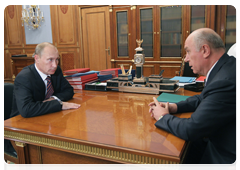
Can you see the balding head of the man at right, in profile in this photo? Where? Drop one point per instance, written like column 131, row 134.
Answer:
column 203, row 48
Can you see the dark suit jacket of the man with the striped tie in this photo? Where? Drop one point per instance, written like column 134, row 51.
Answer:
column 29, row 92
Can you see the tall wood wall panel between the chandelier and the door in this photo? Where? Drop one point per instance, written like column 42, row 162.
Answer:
column 65, row 26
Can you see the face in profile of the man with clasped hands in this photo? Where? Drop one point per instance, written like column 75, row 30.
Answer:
column 193, row 57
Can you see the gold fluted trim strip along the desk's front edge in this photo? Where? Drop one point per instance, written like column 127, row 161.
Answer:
column 115, row 156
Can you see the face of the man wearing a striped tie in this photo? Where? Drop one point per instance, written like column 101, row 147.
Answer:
column 48, row 61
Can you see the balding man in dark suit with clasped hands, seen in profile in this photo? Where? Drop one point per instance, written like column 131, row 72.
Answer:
column 213, row 126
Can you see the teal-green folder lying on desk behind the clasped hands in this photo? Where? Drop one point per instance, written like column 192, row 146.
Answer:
column 171, row 98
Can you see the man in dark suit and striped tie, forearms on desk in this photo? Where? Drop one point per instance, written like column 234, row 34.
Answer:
column 31, row 97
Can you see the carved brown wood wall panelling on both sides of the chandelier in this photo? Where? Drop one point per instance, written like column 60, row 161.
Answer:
column 65, row 24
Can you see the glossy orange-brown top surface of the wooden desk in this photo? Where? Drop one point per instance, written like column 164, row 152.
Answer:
column 114, row 120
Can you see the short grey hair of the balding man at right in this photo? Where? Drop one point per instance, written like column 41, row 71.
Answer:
column 210, row 38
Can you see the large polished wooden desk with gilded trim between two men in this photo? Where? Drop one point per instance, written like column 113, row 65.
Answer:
column 111, row 130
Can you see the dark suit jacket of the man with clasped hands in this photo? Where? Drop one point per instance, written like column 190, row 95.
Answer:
column 215, row 117
